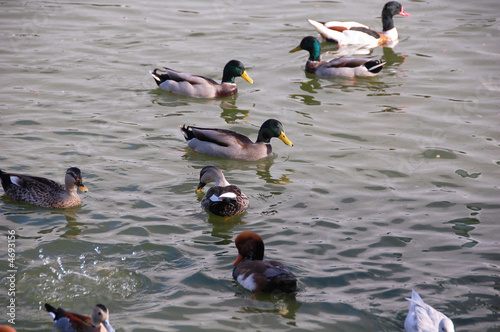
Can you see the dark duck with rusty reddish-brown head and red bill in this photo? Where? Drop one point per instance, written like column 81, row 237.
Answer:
column 256, row 274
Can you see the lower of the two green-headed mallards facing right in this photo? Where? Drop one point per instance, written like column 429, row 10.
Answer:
column 230, row 144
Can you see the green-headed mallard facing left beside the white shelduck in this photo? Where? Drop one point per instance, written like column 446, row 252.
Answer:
column 340, row 67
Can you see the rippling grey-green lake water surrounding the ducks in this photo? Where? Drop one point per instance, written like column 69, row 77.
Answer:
column 393, row 182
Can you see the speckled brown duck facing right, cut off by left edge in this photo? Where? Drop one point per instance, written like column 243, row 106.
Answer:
column 44, row 192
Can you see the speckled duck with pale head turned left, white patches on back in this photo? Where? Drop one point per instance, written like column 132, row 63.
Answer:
column 224, row 199
